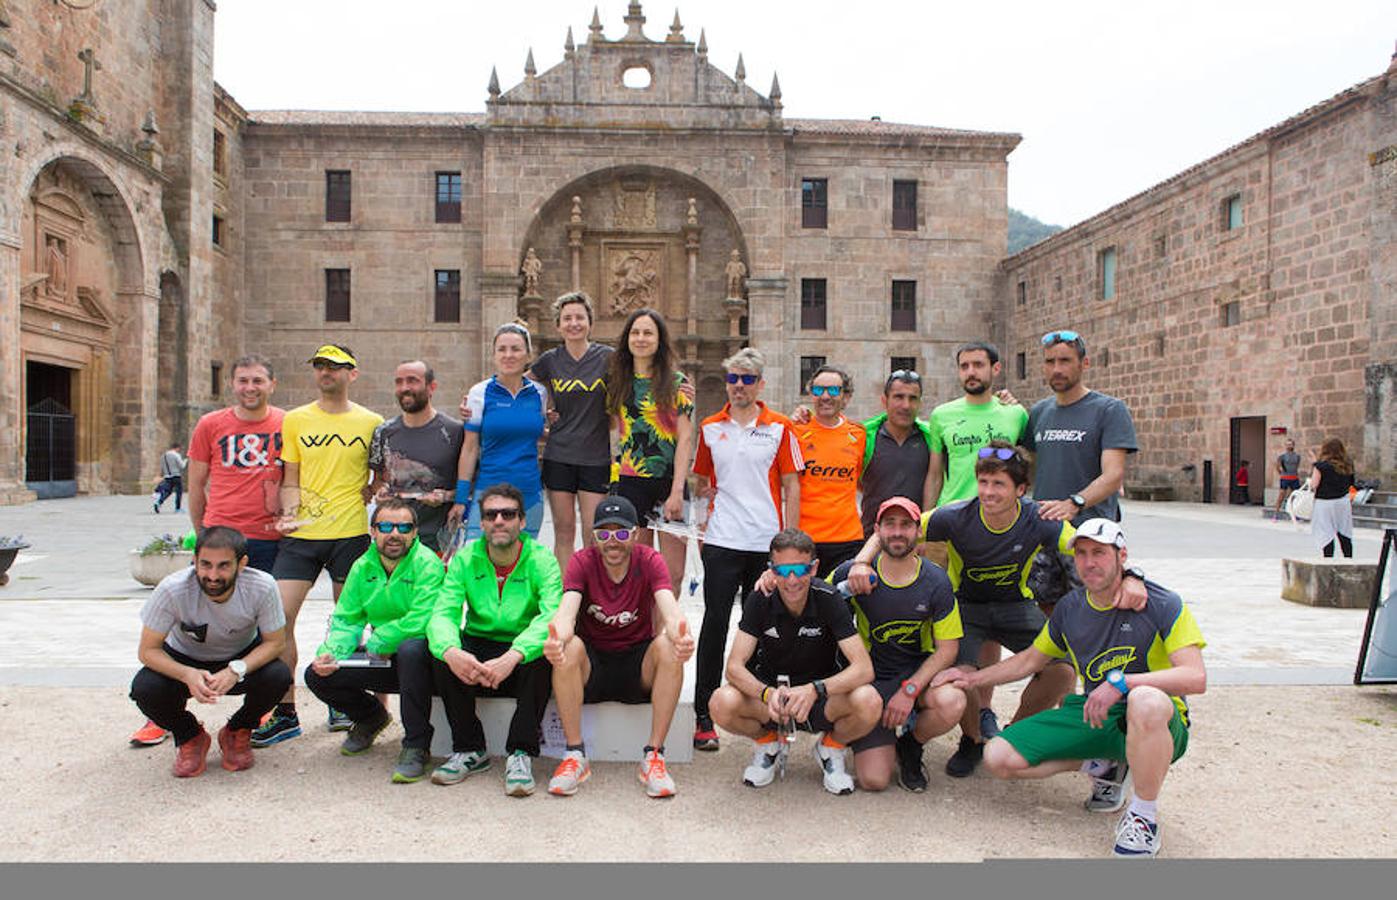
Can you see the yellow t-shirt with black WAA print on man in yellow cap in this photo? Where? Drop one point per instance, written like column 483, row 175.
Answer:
column 333, row 453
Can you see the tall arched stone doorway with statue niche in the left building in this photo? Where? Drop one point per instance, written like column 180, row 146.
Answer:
column 82, row 296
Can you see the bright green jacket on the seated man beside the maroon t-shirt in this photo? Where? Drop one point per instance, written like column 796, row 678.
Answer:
column 519, row 618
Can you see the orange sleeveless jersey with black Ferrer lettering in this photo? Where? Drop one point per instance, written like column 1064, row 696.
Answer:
column 831, row 483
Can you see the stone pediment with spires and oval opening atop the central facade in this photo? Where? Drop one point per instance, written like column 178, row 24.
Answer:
column 589, row 89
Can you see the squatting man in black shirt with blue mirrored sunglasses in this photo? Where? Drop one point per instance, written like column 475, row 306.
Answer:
column 800, row 632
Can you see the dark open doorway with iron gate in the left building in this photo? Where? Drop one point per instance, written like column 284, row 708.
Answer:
column 51, row 442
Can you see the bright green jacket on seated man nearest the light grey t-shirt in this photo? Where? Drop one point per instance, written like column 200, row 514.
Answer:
column 396, row 607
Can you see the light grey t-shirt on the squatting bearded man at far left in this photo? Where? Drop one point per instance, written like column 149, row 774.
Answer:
column 206, row 631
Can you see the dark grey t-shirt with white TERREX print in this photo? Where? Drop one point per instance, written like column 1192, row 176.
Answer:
column 1069, row 442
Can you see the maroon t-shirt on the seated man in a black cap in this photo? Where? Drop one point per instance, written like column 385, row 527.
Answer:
column 617, row 617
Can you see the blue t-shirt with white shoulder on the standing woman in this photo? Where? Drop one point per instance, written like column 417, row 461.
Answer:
column 509, row 427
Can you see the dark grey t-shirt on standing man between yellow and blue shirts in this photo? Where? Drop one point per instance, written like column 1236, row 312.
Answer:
column 417, row 460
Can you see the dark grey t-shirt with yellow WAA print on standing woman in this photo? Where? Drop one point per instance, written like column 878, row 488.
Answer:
column 582, row 434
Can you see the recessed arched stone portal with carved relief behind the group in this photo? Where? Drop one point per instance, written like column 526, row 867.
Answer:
column 636, row 237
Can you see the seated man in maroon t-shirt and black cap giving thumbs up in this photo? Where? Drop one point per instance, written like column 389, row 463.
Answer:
column 618, row 635
